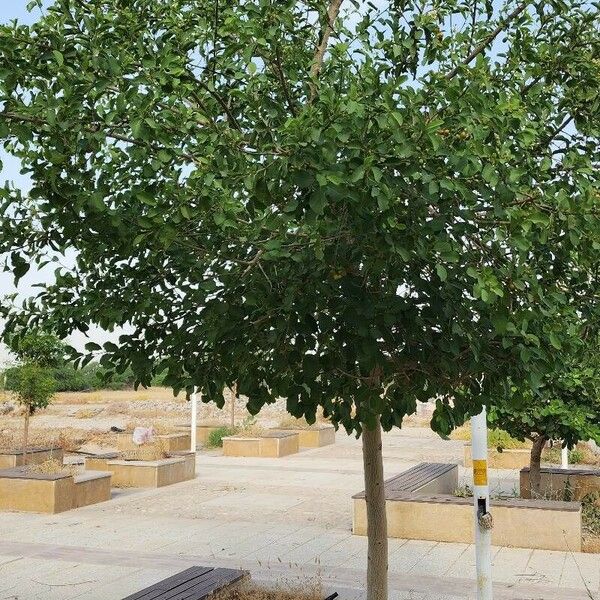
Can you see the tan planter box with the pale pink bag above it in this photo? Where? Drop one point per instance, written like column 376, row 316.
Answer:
column 178, row 467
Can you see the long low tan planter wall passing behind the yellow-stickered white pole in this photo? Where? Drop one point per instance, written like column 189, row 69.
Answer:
column 518, row 523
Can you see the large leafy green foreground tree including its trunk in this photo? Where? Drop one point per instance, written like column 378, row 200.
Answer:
column 350, row 205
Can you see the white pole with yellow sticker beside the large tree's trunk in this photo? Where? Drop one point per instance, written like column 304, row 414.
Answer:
column 481, row 496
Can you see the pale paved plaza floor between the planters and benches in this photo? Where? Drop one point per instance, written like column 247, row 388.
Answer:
column 286, row 520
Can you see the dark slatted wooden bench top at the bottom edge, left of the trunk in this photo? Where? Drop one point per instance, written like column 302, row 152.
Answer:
column 194, row 583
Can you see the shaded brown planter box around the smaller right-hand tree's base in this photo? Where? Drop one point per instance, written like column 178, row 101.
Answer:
column 561, row 484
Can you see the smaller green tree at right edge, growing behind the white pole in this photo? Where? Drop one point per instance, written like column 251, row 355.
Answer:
column 566, row 407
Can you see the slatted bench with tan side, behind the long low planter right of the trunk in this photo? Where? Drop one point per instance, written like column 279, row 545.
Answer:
column 440, row 478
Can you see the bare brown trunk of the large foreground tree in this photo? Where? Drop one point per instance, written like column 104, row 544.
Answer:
column 377, row 566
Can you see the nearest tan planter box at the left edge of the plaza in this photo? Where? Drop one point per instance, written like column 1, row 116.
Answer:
column 51, row 493
